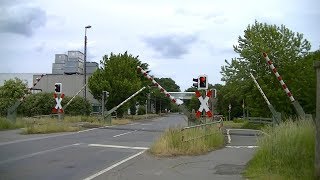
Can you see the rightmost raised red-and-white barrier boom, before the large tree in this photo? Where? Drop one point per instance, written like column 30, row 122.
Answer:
column 296, row 104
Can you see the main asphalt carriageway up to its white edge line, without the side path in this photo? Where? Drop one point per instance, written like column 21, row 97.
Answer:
column 81, row 154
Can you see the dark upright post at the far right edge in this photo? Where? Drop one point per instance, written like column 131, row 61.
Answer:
column 317, row 124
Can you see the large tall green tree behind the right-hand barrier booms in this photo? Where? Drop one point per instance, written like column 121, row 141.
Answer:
column 285, row 48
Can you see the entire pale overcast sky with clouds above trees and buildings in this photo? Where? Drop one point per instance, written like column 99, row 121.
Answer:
column 178, row 39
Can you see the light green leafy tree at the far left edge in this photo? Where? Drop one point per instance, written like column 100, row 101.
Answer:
column 10, row 92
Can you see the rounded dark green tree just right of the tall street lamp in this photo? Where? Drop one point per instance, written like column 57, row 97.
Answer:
column 117, row 75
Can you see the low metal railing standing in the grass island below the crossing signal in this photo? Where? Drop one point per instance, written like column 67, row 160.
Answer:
column 200, row 126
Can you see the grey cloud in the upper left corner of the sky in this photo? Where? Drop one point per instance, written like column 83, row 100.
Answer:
column 21, row 19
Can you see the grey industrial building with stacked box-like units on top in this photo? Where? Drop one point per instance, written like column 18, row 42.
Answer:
column 68, row 69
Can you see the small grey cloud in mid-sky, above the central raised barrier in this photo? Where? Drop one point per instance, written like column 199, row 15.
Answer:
column 172, row 45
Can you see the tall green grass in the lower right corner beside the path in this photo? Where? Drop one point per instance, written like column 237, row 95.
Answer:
column 288, row 153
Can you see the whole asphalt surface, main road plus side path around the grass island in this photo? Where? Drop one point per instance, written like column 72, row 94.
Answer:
column 104, row 153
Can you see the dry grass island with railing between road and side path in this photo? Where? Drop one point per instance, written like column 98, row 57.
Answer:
column 171, row 144
